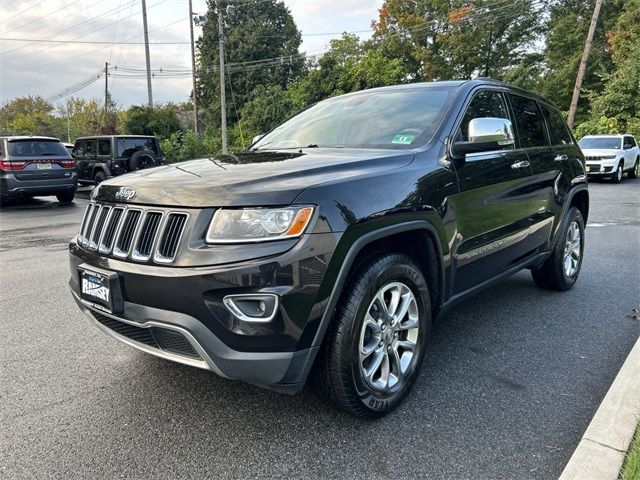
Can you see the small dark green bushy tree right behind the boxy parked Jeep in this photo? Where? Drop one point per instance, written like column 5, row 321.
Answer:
column 145, row 120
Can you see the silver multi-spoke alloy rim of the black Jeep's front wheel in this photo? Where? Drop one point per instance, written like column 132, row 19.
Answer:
column 389, row 337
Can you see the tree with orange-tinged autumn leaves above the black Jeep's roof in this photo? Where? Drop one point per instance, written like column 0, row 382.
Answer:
column 449, row 39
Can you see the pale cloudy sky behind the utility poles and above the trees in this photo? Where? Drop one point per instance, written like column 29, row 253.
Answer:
column 31, row 67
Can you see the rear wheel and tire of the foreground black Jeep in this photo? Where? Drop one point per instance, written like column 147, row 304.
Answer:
column 555, row 273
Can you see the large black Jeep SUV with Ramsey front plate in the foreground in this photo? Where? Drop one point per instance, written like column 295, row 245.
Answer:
column 331, row 244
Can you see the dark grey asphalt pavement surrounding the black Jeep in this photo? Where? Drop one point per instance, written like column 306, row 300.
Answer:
column 510, row 383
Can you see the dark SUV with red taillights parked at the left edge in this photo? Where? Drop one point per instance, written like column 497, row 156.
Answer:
column 33, row 166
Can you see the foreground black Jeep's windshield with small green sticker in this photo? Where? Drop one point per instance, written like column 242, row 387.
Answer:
column 401, row 118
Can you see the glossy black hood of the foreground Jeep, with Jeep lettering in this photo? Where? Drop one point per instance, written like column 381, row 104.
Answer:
column 246, row 179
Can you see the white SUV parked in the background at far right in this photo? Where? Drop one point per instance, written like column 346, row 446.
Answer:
column 610, row 156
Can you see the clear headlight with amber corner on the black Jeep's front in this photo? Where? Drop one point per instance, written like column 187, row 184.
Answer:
column 258, row 224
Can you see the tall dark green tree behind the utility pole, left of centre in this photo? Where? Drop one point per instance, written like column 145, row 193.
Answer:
column 261, row 49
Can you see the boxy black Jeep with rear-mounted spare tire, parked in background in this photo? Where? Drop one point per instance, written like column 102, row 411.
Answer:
column 101, row 157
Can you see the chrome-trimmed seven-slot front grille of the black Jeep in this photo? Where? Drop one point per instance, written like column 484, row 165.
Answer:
column 136, row 233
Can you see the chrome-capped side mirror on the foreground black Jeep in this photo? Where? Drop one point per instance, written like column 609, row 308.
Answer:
column 486, row 134
